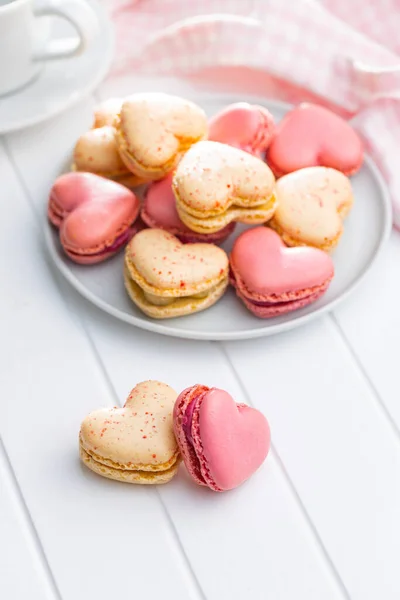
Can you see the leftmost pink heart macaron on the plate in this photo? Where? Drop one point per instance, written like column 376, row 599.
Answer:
column 96, row 216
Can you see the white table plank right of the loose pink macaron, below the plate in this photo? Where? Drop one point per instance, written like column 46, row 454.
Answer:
column 338, row 450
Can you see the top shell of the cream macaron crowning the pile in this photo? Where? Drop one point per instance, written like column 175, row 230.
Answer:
column 211, row 177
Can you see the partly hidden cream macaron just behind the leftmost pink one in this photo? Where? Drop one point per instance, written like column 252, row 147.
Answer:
column 96, row 152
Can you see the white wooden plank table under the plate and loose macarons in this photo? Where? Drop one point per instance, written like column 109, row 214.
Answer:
column 319, row 521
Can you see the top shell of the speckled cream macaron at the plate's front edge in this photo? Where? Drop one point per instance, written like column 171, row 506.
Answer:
column 159, row 262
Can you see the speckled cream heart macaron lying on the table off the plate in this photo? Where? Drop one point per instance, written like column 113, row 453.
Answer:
column 135, row 443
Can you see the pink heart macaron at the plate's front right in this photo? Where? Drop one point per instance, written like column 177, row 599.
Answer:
column 272, row 279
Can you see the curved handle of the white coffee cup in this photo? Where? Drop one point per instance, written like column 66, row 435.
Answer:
column 81, row 16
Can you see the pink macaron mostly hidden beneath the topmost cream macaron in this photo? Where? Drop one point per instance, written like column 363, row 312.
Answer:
column 159, row 212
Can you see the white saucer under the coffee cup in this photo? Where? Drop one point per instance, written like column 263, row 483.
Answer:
column 61, row 83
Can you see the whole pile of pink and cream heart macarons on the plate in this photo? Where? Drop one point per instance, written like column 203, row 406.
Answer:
column 198, row 179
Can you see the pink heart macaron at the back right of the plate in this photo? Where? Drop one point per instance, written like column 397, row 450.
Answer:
column 311, row 135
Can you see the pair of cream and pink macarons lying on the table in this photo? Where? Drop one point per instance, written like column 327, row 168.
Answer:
column 222, row 443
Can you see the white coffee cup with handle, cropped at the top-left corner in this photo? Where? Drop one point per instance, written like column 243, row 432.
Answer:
column 23, row 50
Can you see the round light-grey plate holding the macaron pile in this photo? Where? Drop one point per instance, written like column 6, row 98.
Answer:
column 366, row 228
